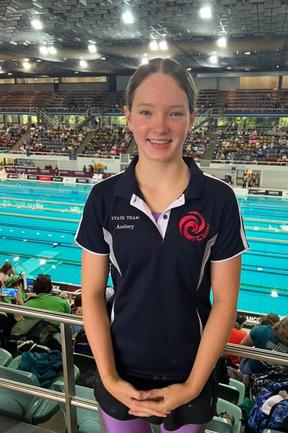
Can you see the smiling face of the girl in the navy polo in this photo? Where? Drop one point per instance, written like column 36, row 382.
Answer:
column 159, row 118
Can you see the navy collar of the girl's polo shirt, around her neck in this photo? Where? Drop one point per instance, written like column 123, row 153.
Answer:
column 127, row 184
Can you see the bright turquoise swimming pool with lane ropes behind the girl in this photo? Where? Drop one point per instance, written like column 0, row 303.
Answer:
column 38, row 222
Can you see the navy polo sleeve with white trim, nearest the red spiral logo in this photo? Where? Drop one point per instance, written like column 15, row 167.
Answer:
column 231, row 240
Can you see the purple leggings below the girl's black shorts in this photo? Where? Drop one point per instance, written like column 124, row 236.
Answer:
column 139, row 425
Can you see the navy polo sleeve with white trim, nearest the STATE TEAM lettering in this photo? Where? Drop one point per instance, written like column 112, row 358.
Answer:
column 90, row 234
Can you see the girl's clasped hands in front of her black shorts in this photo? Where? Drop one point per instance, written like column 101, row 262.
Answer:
column 155, row 402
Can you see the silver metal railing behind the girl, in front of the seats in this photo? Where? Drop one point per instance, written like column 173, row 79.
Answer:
column 68, row 397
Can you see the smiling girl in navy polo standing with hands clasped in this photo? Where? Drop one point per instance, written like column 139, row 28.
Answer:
column 169, row 232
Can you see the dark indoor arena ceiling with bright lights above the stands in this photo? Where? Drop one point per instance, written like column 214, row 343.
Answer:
column 256, row 33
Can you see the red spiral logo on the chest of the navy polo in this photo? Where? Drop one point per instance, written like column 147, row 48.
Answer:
column 193, row 226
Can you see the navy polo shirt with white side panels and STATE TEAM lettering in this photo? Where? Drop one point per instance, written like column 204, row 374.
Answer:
column 161, row 270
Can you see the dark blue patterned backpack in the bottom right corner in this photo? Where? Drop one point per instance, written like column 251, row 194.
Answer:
column 277, row 419
